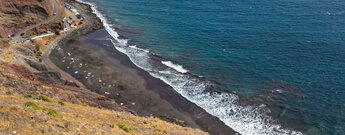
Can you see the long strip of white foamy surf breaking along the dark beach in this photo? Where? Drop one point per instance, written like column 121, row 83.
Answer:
column 247, row 120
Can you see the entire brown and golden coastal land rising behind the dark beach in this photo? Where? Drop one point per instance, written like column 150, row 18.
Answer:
column 36, row 97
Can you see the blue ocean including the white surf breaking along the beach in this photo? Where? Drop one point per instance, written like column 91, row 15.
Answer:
column 262, row 67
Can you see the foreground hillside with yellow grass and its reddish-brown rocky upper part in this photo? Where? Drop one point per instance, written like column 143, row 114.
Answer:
column 25, row 108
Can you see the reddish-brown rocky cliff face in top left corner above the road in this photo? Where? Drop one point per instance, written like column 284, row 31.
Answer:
column 18, row 14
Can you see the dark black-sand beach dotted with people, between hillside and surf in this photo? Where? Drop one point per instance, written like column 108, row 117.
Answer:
column 93, row 60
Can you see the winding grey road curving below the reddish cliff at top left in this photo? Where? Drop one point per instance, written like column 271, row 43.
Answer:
column 18, row 38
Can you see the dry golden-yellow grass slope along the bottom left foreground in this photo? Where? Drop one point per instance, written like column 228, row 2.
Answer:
column 78, row 119
